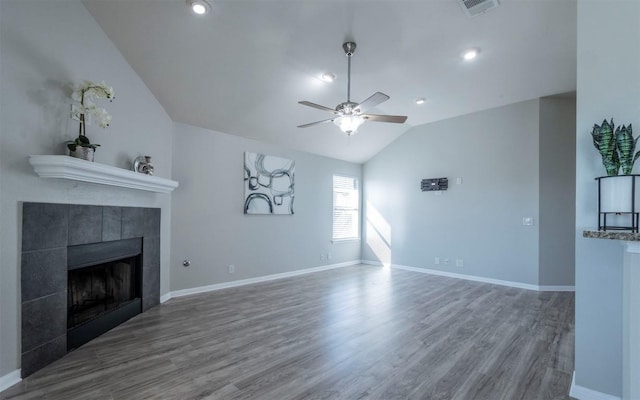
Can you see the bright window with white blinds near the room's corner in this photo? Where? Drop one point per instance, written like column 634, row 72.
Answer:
column 346, row 208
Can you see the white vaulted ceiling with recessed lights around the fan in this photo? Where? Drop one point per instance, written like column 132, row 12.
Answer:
column 242, row 68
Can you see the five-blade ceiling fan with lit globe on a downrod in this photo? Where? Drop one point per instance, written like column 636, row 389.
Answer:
column 348, row 115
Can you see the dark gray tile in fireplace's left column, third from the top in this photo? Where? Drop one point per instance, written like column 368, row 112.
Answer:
column 43, row 320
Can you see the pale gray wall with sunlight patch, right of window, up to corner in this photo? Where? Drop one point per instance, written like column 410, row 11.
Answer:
column 495, row 152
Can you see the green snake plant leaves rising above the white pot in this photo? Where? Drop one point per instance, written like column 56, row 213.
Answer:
column 616, row 147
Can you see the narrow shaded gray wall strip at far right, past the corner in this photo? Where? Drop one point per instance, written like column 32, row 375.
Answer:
column 557, row 191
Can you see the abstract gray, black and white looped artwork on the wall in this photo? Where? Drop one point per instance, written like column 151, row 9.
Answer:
column 268, row 184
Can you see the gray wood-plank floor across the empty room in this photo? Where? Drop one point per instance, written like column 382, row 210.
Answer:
column 358, row 332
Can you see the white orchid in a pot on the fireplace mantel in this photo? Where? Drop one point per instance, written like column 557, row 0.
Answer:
column 83, row 109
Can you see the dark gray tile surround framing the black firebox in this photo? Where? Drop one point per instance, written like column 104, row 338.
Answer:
column 45, row 226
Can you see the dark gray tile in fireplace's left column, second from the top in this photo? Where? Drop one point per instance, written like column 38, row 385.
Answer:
column 43, row 272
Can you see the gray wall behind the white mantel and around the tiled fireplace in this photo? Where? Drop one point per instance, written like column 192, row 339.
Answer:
column 45, row 46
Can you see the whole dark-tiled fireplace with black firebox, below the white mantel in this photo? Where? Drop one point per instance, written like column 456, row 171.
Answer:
column 86, row 243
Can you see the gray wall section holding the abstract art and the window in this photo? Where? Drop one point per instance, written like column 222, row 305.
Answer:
column 208, row 222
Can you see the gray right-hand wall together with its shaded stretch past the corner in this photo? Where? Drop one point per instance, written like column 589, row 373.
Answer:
column 514, row 161
